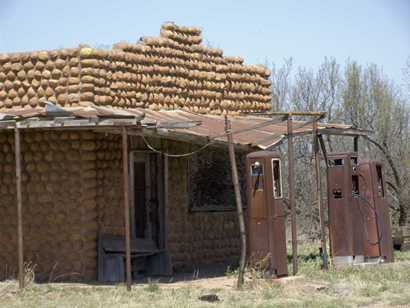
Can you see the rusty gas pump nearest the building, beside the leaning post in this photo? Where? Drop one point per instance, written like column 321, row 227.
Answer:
column 266, row 216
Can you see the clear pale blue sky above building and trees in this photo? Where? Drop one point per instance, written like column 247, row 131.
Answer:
column 367, row 31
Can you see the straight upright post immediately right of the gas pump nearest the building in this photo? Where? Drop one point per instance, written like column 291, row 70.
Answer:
column 291, row 179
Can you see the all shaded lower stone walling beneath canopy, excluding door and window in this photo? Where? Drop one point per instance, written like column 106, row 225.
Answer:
column 72, row 189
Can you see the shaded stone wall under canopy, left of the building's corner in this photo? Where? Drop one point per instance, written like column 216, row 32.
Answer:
column 59, row 206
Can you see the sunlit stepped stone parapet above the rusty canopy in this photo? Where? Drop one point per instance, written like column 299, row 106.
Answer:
column 167, row 72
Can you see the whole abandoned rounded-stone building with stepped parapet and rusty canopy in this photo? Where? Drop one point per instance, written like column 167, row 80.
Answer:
column 170, row 93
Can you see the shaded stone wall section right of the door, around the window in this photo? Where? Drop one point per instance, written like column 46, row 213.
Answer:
column 197, row 238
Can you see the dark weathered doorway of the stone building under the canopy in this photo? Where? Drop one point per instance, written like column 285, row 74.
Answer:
column 147, row 212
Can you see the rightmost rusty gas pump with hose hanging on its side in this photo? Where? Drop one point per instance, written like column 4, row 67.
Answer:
column 378, row 243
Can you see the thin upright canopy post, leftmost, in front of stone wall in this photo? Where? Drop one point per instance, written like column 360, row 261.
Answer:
column 19, row 207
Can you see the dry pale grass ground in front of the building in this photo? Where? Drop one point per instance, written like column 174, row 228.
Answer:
column 377, row 286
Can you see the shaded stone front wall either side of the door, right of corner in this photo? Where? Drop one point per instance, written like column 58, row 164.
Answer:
column 194, row 238
